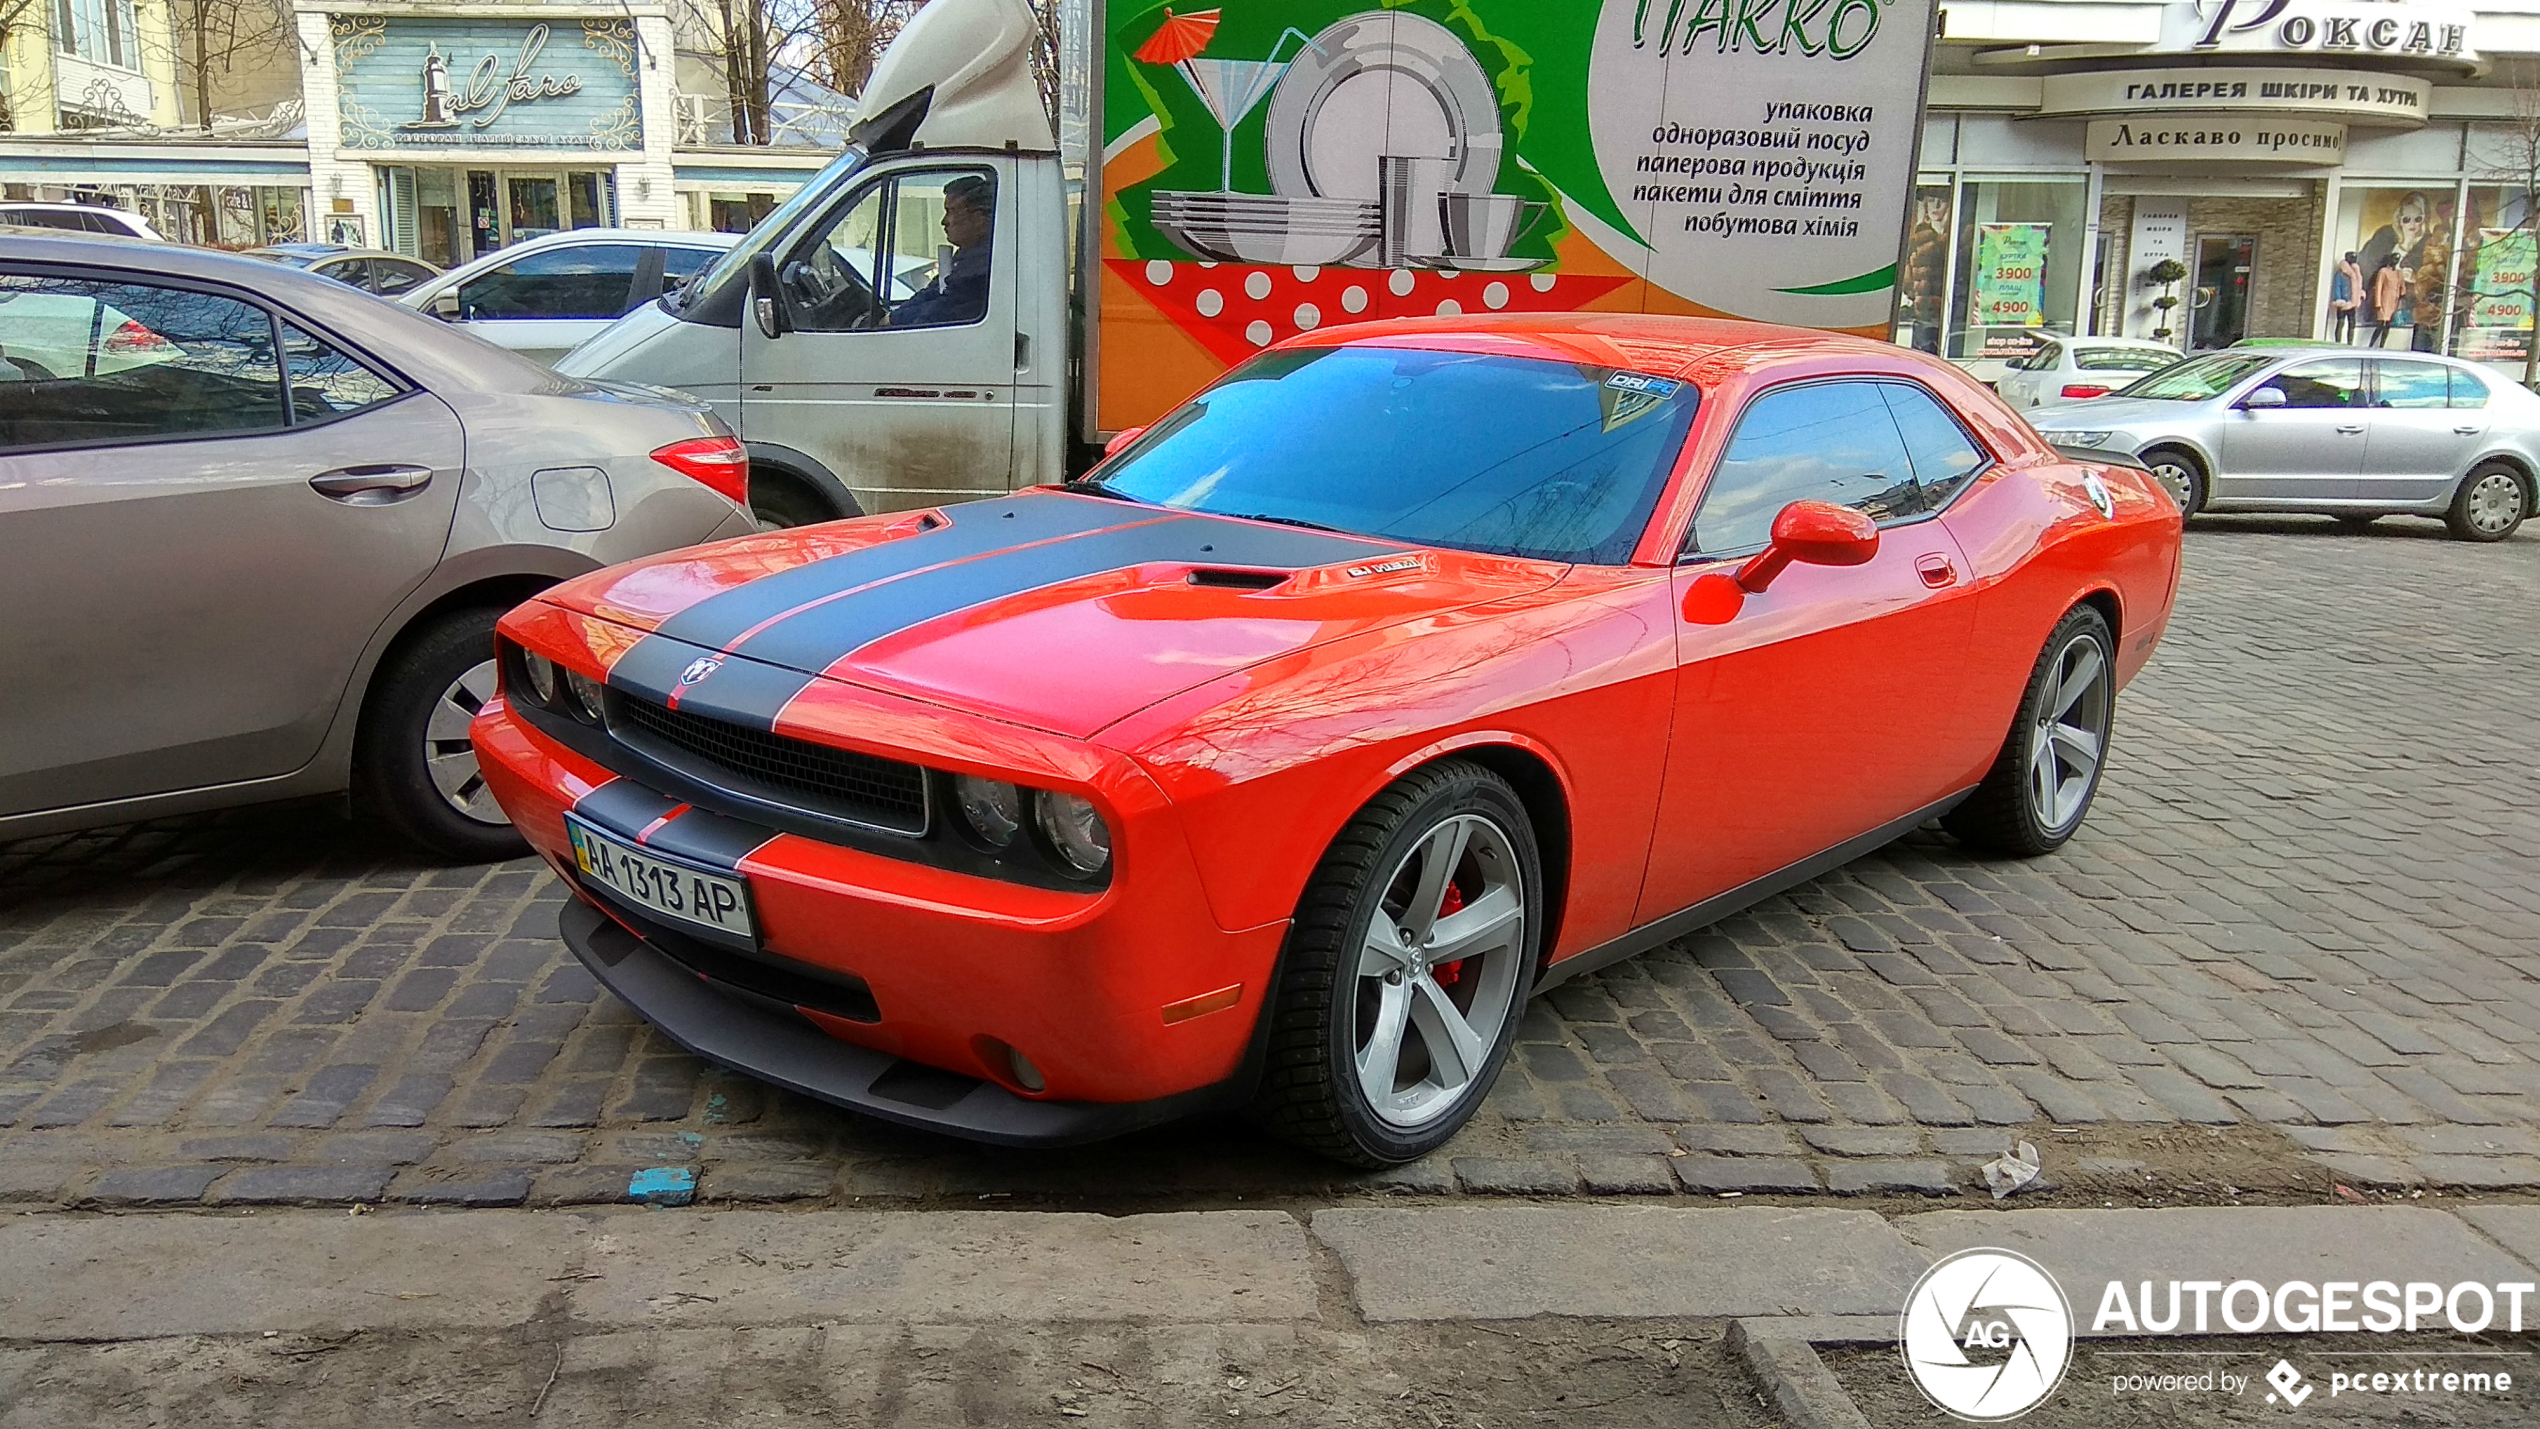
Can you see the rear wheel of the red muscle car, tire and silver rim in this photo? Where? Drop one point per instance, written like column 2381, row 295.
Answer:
column 2049, row 770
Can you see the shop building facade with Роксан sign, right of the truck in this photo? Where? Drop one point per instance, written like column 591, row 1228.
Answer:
column 2074, row 151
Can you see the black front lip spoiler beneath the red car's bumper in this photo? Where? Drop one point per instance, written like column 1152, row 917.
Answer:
column 672, row 986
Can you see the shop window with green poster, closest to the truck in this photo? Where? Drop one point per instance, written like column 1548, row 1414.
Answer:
column 2021, row 265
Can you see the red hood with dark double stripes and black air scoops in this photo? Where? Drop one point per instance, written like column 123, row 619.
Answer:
column 1060, row 613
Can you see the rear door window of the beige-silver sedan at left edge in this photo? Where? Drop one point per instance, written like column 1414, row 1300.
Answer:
column 116, row 362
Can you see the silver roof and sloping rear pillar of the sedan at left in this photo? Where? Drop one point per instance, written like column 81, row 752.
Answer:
column 433, row 354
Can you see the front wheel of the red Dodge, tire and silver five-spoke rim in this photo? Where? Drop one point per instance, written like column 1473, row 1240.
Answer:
column 1406, row 971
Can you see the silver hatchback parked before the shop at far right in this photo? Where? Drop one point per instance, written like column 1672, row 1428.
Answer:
column 2341, row 433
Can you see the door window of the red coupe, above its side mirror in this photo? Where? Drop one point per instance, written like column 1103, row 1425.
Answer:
column 1807, row 443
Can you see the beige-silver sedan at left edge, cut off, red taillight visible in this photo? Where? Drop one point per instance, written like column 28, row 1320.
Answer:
column 255, row 532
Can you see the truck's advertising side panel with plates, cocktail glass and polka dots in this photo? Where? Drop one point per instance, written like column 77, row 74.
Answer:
column 1279, row 166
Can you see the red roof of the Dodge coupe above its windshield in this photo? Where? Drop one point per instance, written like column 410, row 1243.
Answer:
column 1632, row 341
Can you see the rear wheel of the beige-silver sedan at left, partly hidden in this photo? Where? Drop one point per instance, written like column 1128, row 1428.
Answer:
column 413, row 763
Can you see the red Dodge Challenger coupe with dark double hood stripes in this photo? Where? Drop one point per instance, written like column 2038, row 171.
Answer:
column 1406, row 671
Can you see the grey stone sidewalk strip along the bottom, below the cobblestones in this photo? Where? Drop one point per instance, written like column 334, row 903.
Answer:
column 1342, row 1316
